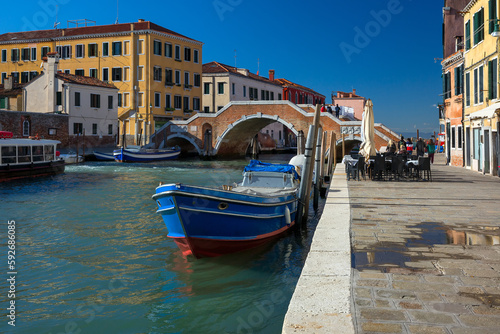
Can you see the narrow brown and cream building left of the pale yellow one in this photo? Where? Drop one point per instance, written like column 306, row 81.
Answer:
column 451, row 111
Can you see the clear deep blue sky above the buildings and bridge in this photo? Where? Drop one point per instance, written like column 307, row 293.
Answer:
column 384, row 49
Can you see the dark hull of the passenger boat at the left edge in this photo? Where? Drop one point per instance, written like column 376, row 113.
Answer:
column 17, row 171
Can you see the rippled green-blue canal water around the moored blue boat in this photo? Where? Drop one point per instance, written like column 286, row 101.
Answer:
column 92, row 256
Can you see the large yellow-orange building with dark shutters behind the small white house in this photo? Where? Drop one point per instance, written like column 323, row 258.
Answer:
column 157, row 71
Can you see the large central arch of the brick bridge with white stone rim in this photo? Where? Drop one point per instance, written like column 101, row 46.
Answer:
column 238, row 134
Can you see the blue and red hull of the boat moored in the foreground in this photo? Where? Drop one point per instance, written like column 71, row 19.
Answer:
column 207, row 222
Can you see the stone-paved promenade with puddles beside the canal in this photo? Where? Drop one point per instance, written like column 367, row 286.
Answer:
column 426, row 255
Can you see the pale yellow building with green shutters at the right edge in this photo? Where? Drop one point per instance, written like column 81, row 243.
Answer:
column 481, row 95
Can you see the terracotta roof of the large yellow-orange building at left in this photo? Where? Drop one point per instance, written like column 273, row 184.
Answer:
column 89, row 30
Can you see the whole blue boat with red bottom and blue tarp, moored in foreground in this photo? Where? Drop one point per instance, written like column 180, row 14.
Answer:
column 207, row 222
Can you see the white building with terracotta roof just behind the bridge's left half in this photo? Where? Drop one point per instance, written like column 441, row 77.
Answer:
column 223, row 84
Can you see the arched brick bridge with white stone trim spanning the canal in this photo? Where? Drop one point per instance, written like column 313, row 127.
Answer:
column 233, row 127
